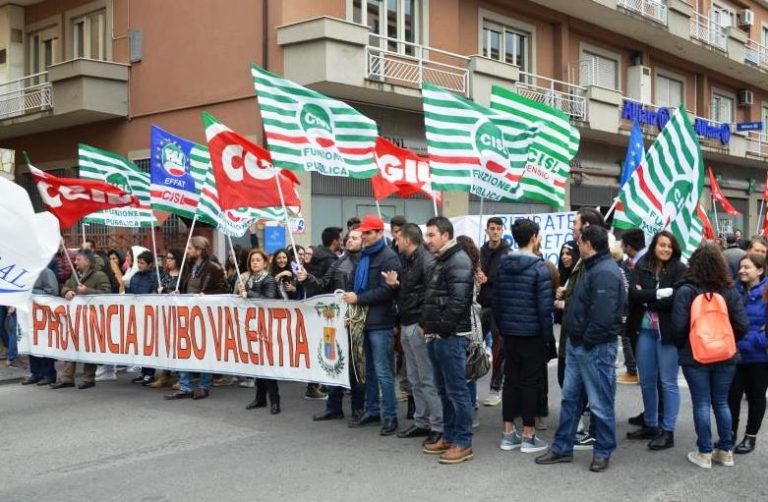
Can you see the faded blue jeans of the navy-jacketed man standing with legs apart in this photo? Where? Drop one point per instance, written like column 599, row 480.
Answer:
column 592, row 371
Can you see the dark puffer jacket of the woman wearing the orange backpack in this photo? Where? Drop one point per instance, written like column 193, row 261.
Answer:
column 681, row 320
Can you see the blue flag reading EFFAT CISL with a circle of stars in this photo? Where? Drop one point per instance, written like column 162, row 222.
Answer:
column 173, row 188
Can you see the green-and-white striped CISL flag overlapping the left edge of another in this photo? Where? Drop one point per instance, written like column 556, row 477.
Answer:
column 468, row 150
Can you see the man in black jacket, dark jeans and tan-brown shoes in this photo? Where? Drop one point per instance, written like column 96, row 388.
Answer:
column 446, row 321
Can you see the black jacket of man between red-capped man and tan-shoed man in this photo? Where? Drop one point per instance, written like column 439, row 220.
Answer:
column 413, row 283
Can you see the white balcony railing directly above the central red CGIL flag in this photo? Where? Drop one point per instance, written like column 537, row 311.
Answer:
column 409, row 64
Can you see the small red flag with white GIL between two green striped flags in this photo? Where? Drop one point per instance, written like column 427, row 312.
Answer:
column 401, row 171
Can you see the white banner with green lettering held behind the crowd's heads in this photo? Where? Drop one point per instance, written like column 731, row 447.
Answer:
column 555, row 229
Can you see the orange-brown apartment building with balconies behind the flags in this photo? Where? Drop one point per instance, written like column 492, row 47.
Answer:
column 101, row 72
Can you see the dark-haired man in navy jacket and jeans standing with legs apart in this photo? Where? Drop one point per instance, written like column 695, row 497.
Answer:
column 594, row 318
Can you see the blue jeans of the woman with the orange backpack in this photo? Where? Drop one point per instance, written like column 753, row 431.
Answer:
column 709, row 386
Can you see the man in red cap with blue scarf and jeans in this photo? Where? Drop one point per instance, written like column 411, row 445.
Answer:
column 370, row 290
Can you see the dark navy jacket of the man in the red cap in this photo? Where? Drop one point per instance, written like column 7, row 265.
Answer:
column 378, row 297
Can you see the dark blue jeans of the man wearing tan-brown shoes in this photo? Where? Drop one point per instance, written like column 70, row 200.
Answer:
column 449, row 359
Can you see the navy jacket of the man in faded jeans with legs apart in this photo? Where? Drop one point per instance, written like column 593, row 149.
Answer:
column 595, row 309
